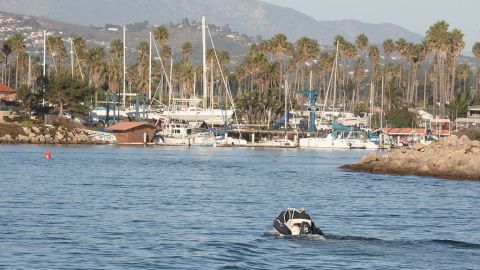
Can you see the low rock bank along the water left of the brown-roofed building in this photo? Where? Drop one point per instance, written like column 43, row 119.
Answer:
column 13, row 133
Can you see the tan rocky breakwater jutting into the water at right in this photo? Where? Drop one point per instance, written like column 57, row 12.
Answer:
column 453, row 157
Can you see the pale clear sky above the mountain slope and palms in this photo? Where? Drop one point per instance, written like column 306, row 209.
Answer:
column 414, row 15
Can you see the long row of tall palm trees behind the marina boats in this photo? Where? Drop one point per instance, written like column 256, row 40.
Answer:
column 421, row 75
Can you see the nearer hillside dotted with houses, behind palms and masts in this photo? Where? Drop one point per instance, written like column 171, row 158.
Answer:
column 32, row 27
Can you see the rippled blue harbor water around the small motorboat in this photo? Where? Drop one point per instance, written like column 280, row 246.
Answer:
column 109, row 207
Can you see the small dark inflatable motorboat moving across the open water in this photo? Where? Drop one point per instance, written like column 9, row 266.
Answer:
column 295, row 222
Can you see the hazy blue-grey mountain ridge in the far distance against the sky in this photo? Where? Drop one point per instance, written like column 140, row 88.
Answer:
column 252, row 17
